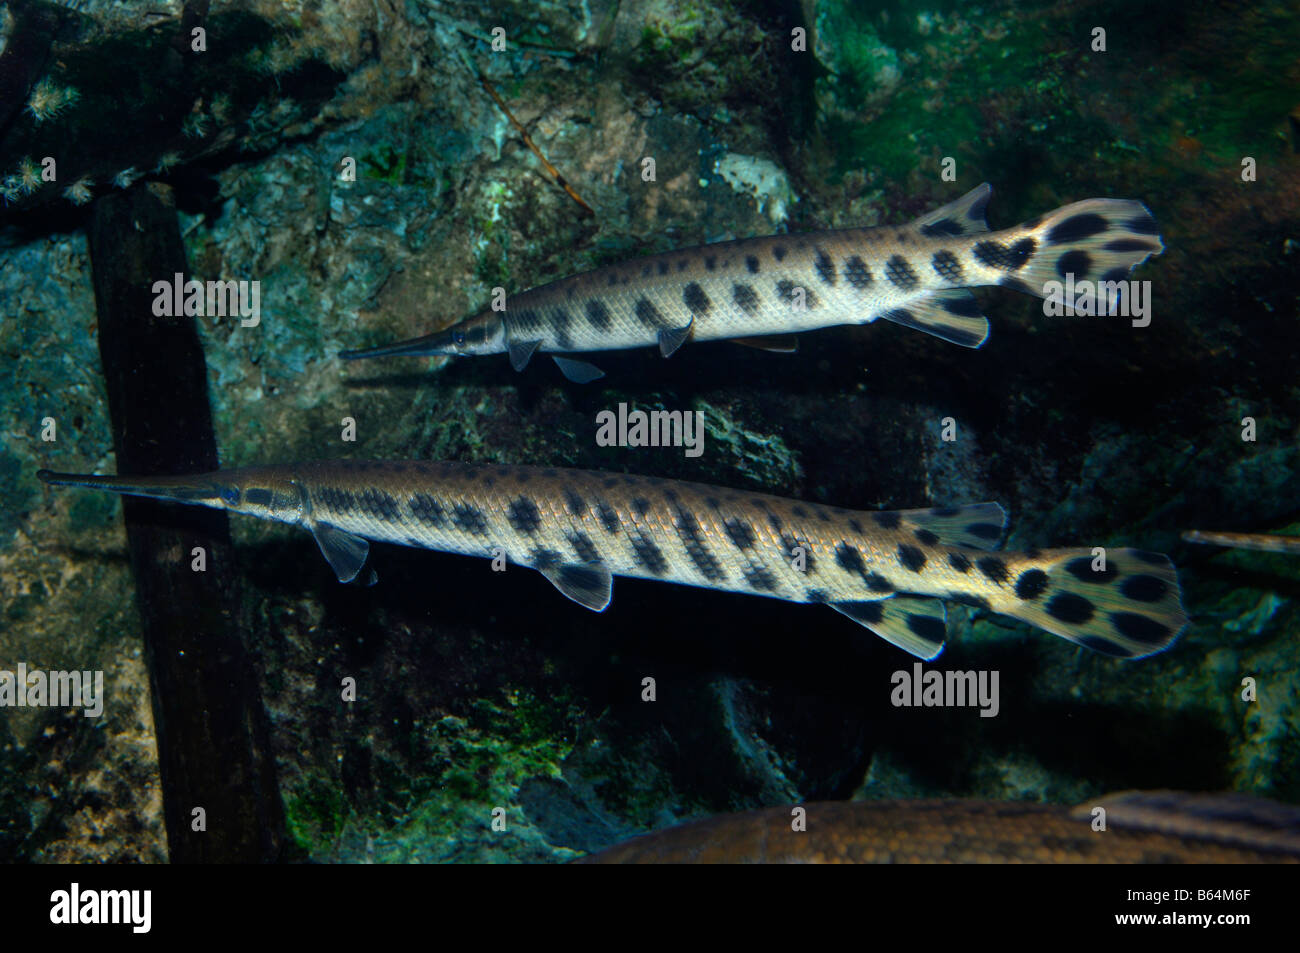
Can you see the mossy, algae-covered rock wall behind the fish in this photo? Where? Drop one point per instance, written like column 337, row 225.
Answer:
column 479, row 691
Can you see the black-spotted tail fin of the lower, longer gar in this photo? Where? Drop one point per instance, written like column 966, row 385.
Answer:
column 1128, row 605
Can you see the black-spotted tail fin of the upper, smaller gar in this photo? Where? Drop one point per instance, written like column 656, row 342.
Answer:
column 1097, row 240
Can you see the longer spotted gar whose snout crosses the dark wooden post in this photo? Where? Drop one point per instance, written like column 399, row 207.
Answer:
column 889, row 571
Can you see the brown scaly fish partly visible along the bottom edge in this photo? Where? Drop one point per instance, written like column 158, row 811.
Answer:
column 1142, row 828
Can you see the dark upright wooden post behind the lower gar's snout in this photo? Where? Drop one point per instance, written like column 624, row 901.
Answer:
column 213, row 730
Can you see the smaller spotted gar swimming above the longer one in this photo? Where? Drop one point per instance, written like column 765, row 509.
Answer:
column 916, row 275
